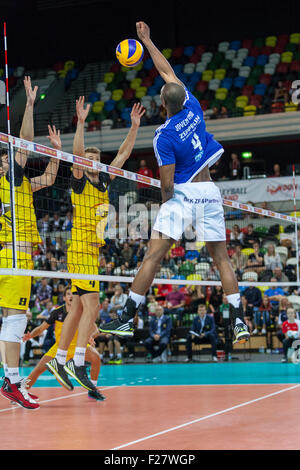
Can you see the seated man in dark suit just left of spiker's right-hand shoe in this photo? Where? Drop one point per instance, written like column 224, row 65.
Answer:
column 203, row 331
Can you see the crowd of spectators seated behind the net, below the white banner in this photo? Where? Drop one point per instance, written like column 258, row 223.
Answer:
column 254, row 257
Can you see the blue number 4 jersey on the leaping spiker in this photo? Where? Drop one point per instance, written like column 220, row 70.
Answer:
column 183, row 140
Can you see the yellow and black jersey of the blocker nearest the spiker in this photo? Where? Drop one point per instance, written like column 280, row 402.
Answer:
column 90, row 209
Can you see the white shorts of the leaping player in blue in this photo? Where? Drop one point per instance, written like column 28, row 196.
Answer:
column 194, row 204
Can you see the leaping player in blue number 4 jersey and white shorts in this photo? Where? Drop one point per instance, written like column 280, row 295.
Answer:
column 185, row 151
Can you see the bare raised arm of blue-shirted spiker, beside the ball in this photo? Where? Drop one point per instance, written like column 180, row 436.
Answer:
column 162, row 65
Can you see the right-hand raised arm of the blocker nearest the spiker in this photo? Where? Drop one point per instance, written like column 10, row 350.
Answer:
column 126, row 148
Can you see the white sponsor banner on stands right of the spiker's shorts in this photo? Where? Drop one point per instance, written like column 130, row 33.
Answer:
column 260, row 190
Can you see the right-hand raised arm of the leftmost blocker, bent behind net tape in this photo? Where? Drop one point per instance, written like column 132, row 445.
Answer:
column 50, row 173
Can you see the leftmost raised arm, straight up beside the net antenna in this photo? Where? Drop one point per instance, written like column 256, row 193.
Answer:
column 27, row 128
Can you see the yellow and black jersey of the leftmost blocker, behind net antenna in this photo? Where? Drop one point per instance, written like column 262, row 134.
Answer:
column 26, row 225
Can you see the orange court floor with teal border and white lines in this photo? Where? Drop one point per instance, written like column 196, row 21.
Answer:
column 239, row 405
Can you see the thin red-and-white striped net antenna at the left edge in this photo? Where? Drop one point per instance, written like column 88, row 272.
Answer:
column 11, row 159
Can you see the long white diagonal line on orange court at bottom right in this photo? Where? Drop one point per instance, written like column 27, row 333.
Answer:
column 205, row 417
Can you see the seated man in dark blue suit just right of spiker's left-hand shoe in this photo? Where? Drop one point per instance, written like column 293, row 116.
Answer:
column 160, row 332
